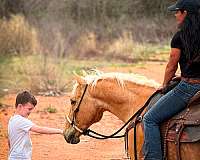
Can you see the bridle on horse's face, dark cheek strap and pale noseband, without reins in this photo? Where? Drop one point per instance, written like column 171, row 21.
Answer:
column 72, row 123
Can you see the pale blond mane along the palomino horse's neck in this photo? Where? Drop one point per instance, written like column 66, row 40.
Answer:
column 121, row 77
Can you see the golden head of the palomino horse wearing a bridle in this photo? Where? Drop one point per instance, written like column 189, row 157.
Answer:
column 85, row 110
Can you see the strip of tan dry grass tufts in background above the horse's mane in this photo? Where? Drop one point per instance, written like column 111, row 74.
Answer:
column 122, row 48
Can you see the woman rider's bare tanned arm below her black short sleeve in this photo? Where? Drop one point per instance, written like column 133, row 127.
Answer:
column 172, row 65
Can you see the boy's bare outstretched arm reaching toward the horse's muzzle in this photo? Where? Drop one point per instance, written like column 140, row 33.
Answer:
column 45, row 130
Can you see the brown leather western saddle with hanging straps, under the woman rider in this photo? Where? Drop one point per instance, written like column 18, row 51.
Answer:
column 182, row 128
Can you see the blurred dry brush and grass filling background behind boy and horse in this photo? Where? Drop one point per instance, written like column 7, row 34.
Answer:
column 38, row 36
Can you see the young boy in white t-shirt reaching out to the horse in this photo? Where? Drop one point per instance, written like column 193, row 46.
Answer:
column 19, row 126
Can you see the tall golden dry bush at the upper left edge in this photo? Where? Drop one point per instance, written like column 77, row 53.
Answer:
column 17, row 36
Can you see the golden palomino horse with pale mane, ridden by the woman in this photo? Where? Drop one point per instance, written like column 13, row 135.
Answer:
column 120, row 94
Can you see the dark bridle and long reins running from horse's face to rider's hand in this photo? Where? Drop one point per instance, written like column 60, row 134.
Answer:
column 96, row 135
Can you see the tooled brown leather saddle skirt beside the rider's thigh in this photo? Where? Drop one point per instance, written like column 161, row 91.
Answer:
column 185, row 126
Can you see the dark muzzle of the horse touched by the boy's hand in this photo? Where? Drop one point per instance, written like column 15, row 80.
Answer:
column 71, row 136
